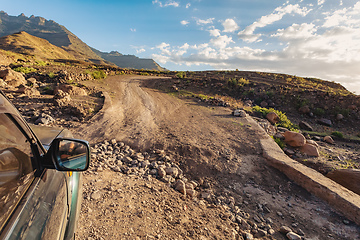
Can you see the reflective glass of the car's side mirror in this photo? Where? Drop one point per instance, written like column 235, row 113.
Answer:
column 73, row 155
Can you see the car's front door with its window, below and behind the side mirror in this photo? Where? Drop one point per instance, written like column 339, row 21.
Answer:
column 33, row 201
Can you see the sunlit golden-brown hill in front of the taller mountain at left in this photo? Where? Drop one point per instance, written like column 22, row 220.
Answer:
column 29, row 45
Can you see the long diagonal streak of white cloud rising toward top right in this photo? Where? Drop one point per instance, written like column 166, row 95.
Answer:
column 248, row 33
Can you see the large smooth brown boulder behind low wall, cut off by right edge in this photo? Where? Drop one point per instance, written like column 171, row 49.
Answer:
column 349, row 178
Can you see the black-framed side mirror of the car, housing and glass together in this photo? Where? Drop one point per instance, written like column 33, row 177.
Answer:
column 69, row 154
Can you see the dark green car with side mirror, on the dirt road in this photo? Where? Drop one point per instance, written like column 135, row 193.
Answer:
column 40, row 178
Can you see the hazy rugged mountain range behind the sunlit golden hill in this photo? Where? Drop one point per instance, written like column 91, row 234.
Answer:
column 61, row 37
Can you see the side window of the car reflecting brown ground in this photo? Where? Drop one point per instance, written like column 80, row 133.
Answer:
column 16, row 171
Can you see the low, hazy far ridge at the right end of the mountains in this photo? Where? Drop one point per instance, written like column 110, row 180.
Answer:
column 129, row 61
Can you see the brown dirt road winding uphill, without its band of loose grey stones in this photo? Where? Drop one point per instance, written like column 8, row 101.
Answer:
column 220, row 152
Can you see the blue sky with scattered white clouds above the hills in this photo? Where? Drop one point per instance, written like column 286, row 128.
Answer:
column 307, row 38
